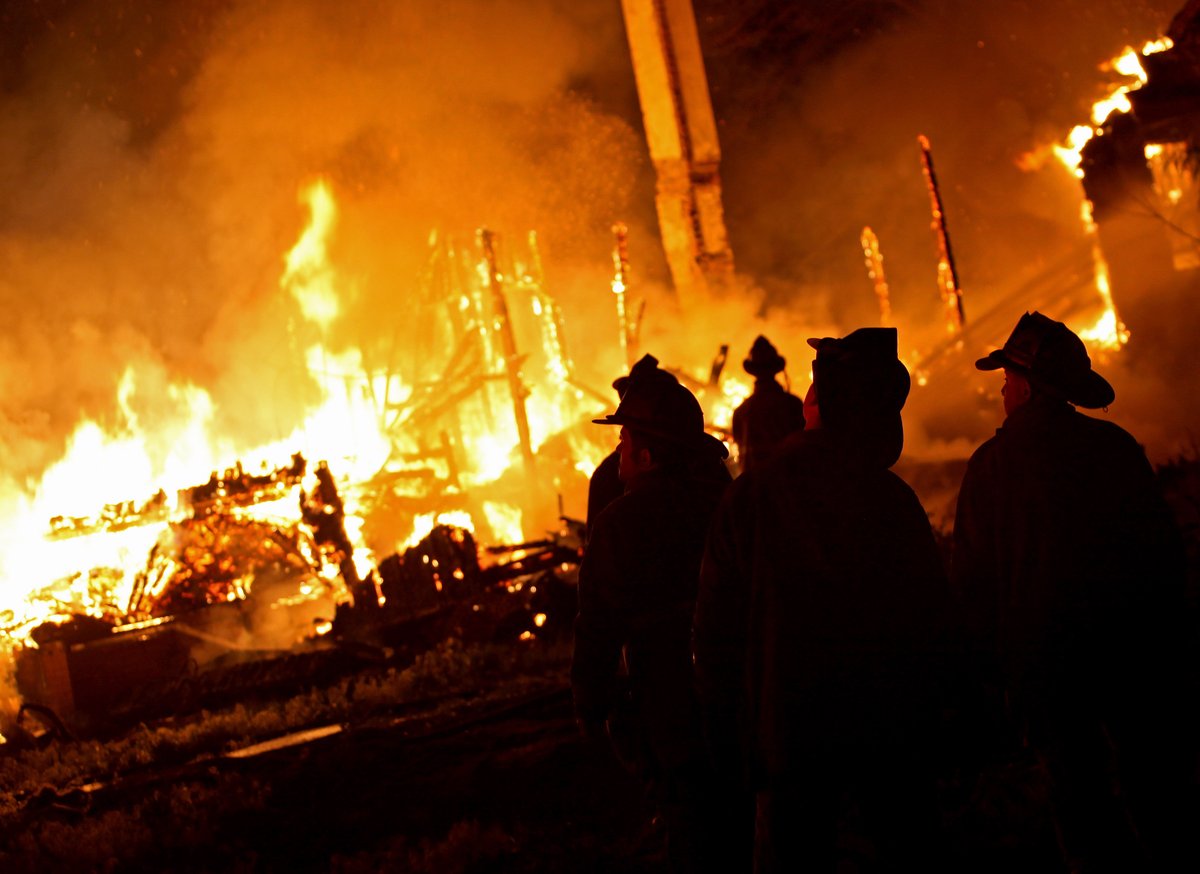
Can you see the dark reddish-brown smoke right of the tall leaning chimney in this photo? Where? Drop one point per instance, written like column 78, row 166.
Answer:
column 821, row 107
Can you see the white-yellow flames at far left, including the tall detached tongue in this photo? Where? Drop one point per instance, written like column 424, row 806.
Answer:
column 95, row 572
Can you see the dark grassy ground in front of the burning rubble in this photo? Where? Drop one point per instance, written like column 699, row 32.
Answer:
column 427, row 773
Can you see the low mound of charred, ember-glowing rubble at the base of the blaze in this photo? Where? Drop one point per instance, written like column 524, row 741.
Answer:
column 231, row 580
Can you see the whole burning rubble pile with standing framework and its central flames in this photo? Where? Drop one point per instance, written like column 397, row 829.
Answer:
column 251, row 564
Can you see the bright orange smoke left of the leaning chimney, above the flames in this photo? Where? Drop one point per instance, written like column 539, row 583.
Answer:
column 152, row 159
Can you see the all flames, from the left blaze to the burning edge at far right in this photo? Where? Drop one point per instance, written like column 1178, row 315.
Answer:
column 411, row 450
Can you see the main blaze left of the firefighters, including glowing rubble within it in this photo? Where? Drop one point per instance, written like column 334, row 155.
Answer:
column 73, row 552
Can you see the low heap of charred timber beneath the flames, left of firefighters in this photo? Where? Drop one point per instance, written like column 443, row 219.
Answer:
column 194, row 632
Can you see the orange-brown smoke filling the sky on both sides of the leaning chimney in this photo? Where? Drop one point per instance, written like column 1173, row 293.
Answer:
column 152, row 157
